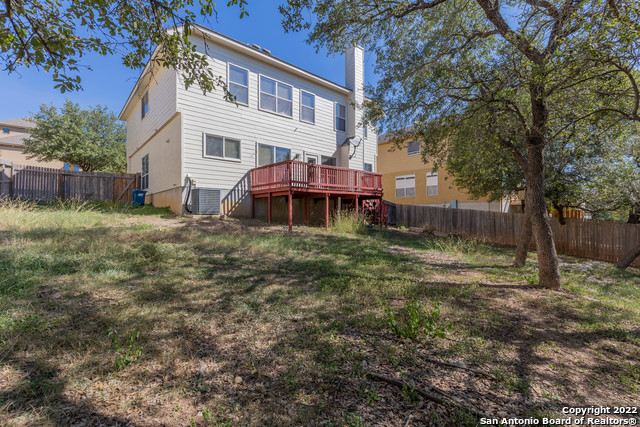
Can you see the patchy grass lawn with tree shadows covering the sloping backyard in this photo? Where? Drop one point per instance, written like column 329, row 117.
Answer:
column 113, row 315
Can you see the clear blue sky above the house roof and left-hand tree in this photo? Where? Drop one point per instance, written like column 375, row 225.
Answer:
column 110, row 82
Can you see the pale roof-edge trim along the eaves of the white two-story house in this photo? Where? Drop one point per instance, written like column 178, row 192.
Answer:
column 253, row 51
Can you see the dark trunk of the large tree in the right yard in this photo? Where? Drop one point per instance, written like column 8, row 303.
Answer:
column 548, row 268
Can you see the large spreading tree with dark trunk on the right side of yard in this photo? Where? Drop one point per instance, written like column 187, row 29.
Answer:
column 447, row 59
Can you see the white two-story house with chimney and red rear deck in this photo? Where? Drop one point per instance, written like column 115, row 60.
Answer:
column 290, row 138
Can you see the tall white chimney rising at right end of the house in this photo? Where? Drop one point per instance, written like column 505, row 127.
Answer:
column 354, row 80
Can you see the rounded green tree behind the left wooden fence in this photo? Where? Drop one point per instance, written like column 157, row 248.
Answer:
column 92, row 139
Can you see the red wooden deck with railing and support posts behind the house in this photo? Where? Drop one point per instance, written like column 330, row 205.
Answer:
column 306, row 180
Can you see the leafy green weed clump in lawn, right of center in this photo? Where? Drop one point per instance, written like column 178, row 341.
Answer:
column 414, row 321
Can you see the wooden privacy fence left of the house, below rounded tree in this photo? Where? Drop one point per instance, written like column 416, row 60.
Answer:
column 38, row 183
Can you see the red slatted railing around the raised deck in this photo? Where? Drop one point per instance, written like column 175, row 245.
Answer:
column 301, row 176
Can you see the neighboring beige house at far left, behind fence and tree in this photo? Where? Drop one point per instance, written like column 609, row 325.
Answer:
column 12, row 134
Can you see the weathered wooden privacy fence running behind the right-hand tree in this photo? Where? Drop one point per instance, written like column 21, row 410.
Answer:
column 585, row 238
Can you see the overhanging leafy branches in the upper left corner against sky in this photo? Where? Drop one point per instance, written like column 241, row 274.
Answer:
column 55, row 35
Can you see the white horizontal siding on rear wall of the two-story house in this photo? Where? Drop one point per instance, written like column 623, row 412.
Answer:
column 212, row 114
